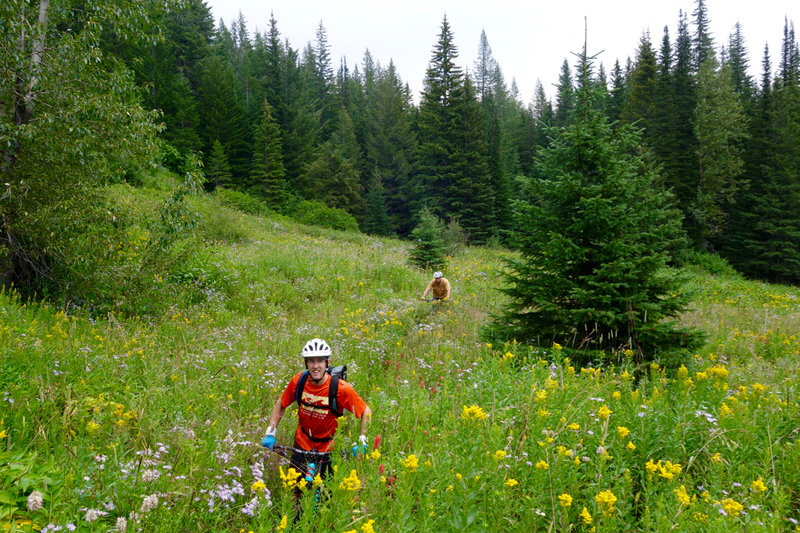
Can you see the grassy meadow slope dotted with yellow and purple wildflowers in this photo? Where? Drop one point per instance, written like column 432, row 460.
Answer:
column 154, row 421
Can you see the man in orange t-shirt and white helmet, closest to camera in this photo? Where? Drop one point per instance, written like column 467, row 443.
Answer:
column 317, row 424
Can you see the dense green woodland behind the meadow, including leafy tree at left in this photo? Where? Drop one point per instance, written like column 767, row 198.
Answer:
column 286, row 125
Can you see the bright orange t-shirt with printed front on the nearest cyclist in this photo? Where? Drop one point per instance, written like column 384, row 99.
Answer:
column 318, row 421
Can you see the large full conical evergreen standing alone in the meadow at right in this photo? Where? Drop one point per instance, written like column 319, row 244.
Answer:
column 593, row 237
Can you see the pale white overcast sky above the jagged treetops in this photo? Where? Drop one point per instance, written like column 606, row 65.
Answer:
column 529, row 39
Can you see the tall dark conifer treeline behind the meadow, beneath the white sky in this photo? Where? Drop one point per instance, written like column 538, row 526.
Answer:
column 291, row 125
